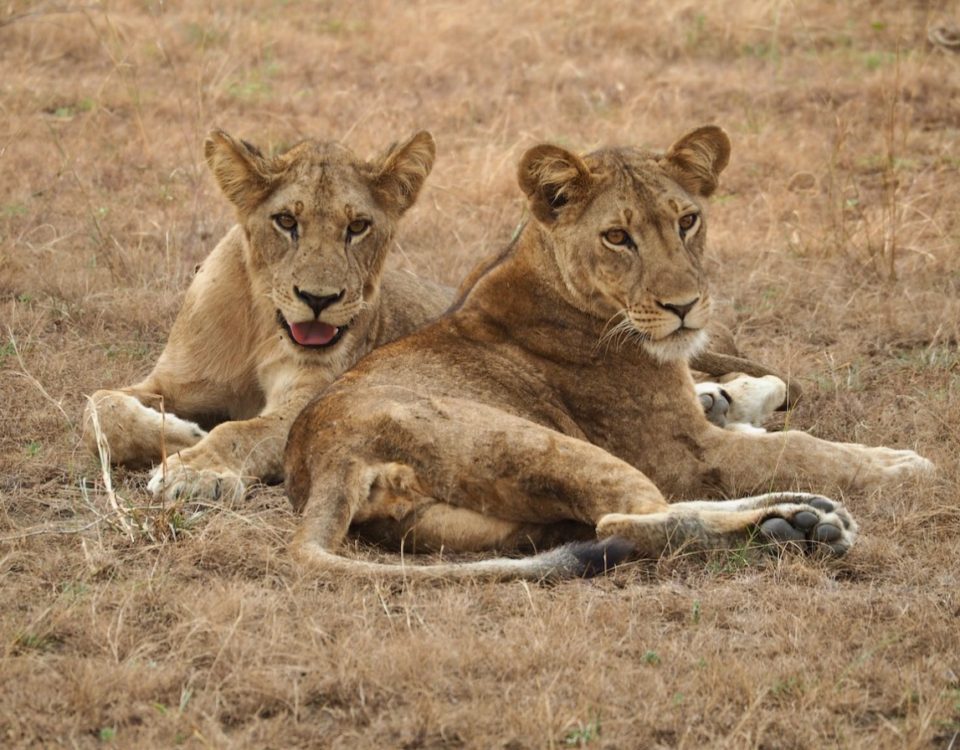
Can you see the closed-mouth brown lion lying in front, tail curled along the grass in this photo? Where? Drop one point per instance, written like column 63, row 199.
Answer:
column 504, row 424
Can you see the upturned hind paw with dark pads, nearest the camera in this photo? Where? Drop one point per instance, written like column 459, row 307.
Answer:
column 813, row 523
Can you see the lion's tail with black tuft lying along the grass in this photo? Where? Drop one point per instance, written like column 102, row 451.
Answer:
column 574, row 560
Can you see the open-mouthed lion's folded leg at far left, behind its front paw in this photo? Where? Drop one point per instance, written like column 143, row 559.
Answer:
column 135, row 433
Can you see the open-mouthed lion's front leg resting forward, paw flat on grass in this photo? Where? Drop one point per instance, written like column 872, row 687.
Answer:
column 232, row 456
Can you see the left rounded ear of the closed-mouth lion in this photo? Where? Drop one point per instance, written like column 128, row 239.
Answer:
column 552, row 177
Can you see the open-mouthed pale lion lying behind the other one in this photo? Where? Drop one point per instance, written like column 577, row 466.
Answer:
column 292, row 296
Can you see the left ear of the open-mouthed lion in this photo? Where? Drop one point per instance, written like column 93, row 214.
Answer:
column 242, row 171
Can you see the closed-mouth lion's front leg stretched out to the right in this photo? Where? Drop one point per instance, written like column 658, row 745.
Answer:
column 786, row 460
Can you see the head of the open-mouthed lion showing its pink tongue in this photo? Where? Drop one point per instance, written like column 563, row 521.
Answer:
column 318, row 223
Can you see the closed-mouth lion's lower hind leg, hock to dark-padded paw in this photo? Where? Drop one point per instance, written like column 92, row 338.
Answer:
column 811, row 523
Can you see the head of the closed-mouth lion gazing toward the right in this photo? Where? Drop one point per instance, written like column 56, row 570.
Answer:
column 626, row 228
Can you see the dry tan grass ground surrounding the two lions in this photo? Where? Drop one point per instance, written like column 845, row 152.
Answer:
column 835, row 250
